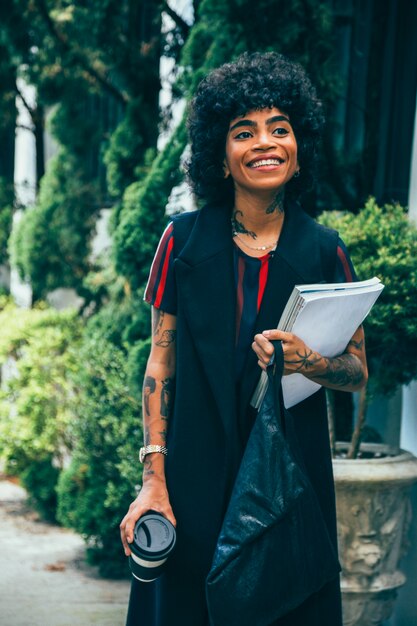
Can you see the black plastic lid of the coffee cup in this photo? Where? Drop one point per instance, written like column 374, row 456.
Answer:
column 154, row 537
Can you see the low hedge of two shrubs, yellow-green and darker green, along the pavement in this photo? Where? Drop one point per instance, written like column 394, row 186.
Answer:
column 70, row 424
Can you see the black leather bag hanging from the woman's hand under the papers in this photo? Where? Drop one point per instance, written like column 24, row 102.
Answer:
column 274, row 550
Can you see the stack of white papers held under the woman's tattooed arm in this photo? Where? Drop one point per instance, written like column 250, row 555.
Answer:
column 325, row 317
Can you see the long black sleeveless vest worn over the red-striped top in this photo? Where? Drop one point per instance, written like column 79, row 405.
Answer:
column 211, row 421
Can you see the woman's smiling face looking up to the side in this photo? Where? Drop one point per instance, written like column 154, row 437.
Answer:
column 261, row 151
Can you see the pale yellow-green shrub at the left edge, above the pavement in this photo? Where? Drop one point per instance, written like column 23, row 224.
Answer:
column 39, row 347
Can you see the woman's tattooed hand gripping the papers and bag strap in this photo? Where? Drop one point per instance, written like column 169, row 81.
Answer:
column 298, row 357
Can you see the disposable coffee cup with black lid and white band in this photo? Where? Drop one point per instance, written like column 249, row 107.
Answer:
column 153, row 540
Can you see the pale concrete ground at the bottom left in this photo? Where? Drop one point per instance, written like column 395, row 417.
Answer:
column 43, row 578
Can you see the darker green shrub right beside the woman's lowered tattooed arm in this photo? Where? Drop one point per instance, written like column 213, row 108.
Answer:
column 96, row 489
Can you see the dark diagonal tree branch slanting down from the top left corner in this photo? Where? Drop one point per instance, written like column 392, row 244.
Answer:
column 78, row 54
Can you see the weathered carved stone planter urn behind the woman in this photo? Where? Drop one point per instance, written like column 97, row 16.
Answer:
column 374, row 514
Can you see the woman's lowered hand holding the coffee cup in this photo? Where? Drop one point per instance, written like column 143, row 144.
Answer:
column 152, row 496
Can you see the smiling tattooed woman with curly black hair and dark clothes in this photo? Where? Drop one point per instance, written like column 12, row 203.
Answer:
column 219, row 282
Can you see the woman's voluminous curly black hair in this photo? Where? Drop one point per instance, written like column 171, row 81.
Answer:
column 251, row 82
